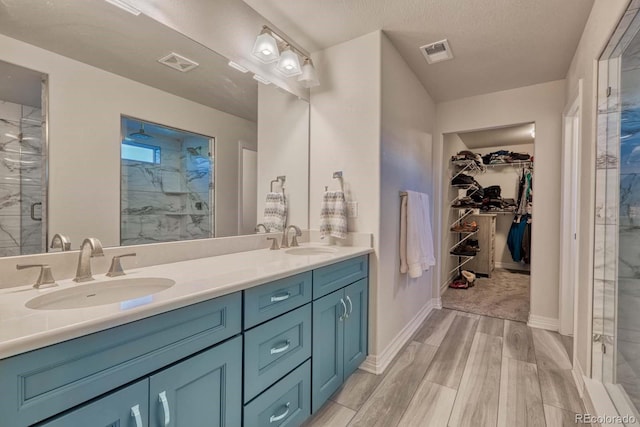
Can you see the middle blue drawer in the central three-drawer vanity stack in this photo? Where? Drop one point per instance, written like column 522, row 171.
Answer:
column 274, row 348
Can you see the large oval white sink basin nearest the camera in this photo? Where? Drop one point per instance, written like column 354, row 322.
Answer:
column 99, row 293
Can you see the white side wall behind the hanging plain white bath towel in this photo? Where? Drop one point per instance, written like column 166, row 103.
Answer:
column 408, row 120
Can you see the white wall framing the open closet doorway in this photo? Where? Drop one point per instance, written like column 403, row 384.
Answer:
column 542, row 104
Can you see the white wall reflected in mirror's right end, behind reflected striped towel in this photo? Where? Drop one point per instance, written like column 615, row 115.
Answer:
column 283, row 149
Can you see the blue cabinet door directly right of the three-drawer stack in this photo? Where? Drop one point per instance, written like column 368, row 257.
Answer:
column 328, row 346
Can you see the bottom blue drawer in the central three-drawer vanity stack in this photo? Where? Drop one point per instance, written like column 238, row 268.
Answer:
column 288, row 402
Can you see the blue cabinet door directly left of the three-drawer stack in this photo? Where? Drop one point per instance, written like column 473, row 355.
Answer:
column 204, row 390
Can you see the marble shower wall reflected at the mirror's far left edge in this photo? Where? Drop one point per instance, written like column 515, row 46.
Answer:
column 22, row 180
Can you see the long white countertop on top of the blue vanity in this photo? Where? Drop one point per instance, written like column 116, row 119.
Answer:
column 23, row 329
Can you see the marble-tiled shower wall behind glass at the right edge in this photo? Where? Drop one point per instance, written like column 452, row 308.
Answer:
column 616, row 306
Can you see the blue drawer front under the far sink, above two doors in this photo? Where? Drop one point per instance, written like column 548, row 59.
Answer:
column 333, row 277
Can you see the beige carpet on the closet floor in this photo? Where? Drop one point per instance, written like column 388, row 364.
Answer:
column 505, row 295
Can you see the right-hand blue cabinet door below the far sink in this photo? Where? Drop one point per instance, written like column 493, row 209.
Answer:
column 355, row 326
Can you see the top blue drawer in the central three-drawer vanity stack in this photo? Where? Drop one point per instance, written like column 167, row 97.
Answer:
column 273, row 299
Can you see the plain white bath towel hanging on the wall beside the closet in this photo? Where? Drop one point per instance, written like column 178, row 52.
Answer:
column 418, row 255
